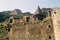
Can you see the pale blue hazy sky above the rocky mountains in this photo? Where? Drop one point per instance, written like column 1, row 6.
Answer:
column 27, row 5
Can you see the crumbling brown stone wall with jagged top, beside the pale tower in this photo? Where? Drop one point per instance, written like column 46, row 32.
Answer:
column 31, row 30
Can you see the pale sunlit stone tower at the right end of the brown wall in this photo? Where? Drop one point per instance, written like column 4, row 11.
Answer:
column 56, row 22
